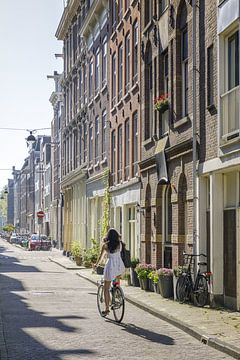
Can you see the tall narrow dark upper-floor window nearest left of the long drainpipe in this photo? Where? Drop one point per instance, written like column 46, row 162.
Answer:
column 184, row 58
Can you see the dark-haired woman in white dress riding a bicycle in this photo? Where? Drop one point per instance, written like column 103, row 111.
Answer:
column 114, row 266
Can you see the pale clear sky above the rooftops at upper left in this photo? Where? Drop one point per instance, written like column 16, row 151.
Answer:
column 27, row 49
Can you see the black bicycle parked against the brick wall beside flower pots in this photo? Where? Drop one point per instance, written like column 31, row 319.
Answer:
column 187, row 288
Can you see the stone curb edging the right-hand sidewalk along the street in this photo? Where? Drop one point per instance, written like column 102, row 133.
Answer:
column 191, row 330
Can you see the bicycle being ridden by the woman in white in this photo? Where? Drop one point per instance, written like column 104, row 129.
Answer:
column 117, row 300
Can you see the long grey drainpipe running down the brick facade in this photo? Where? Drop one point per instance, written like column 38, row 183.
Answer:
column 194, row 170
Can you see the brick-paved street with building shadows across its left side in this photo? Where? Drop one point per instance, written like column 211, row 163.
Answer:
column 50, row 313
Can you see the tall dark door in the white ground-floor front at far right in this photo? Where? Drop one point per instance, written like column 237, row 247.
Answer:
column 230, row 250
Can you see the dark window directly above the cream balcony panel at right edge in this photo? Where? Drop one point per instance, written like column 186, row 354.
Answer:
column 233, row 60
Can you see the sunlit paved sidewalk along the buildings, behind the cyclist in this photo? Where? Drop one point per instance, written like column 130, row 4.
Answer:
column 217, row 328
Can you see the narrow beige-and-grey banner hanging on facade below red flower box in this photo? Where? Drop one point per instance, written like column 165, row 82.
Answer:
column 161, row 161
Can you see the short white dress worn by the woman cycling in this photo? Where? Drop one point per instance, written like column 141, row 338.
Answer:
column 114, row 265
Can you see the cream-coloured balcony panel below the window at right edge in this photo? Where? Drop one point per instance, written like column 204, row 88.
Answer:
column 230, row 118
